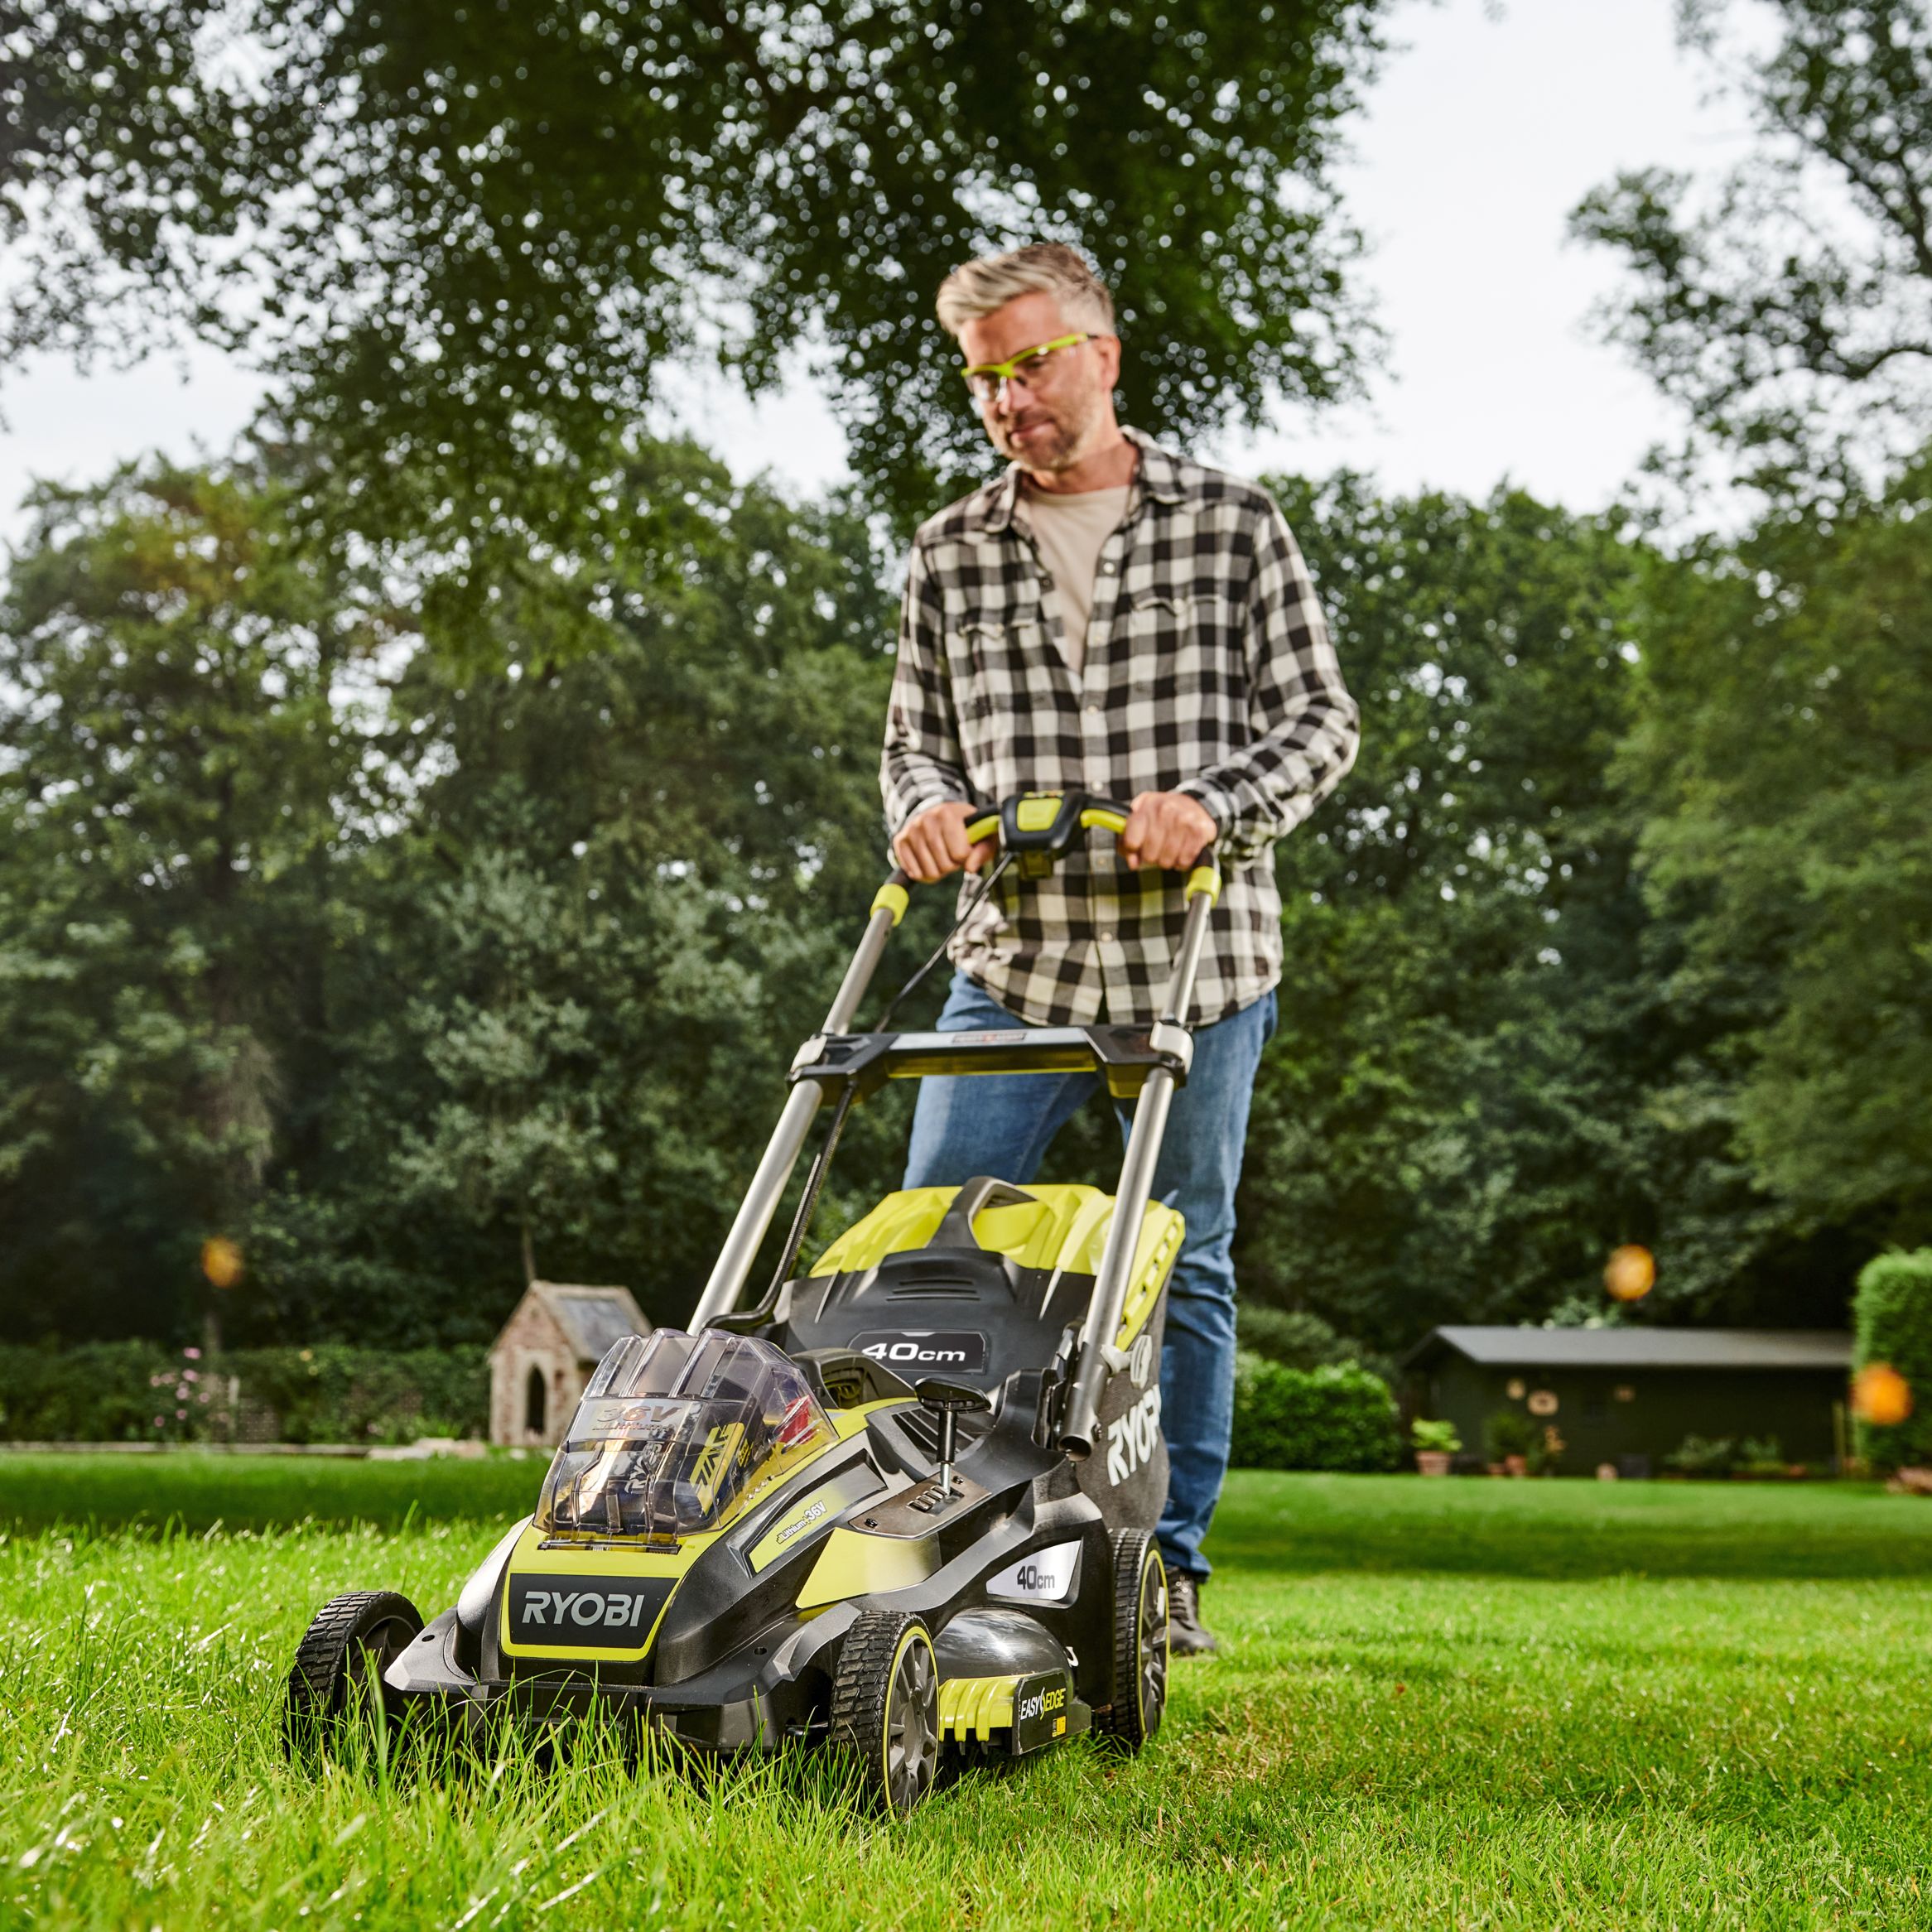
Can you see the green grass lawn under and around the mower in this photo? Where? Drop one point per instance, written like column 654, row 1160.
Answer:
column 1440, row 1705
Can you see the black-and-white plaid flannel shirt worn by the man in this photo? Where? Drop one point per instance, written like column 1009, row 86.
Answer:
column 1208, row 671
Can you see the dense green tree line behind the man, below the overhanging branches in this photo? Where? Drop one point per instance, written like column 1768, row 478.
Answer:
column 422, row 984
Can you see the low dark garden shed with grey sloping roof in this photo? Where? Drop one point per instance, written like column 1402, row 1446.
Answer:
column 1630, row 1396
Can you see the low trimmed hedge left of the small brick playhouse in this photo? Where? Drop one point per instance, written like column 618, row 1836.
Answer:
column 138, row 1392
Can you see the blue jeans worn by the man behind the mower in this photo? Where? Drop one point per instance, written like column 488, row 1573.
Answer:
column 1002, row 1125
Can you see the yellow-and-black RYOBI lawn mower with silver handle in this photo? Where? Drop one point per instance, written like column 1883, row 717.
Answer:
column 905, row 1504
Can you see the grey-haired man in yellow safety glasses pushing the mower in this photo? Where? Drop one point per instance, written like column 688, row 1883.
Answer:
column 1110, row 619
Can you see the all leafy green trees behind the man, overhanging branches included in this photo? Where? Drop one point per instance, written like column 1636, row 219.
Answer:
column 412, row 967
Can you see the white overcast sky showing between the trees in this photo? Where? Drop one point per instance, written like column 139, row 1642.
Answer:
column 1487, row 127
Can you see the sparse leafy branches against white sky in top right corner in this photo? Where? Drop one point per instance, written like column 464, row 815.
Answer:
column 1788, row 310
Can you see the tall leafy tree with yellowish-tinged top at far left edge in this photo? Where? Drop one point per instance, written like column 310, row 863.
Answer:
column 177, row 795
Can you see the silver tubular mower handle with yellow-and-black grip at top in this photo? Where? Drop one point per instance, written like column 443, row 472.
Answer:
column 1040, row 826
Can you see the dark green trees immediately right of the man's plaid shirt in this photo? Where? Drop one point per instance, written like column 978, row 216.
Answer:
column 1452, row 1122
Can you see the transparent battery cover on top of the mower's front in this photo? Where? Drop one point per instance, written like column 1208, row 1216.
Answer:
column 675, row 1431
